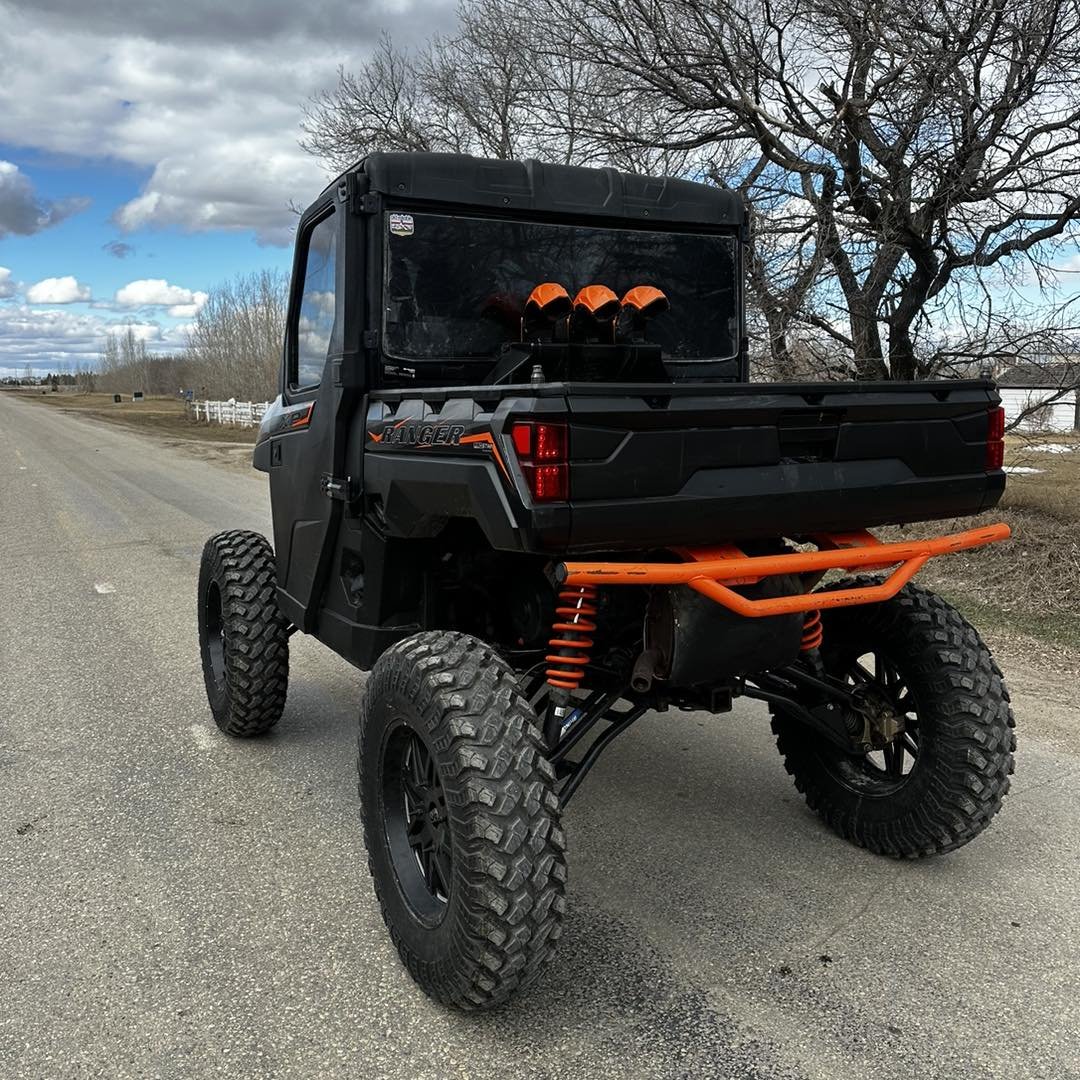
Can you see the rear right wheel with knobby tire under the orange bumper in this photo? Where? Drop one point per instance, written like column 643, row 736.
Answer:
column 934, row 706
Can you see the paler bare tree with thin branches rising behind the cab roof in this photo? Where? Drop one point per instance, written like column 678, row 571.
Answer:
column 494, row 88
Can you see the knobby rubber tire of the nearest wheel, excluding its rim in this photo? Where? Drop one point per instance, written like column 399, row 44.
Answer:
column 502, row 786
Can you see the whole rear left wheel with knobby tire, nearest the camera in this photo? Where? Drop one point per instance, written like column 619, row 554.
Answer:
column 461, row 820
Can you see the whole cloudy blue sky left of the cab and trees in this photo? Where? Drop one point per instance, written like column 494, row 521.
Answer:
column 150, row 151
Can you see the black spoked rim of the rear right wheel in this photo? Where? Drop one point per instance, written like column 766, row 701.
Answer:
column 885, row 771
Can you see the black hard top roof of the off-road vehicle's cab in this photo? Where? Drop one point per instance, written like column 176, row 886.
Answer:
column 535, row 186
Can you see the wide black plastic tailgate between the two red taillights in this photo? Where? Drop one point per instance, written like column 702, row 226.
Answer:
column 692, row 465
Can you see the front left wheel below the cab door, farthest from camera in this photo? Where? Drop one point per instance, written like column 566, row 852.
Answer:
column 244, row 638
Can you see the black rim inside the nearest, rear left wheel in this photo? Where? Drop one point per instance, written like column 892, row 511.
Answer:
column 417, row 823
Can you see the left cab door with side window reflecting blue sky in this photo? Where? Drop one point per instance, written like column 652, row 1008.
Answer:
column 302, row 454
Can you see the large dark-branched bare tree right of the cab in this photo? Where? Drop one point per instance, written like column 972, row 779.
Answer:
column 923, row 144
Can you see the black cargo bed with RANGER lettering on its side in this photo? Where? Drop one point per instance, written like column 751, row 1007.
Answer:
column 663, row 467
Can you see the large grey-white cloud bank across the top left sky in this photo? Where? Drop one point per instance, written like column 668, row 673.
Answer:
column 209, row 103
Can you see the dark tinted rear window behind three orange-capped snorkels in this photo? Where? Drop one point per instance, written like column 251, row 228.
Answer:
column 456, row 287
